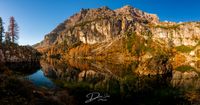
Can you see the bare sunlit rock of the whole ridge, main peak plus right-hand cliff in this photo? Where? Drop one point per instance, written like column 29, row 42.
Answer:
column 100, row 25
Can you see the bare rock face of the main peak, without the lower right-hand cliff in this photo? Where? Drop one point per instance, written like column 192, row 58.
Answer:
column 97, row 25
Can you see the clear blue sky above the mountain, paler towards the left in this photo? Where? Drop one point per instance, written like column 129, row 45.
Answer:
column 38, row 17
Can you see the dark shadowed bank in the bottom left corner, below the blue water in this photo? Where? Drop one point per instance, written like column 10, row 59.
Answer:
column 14, row 91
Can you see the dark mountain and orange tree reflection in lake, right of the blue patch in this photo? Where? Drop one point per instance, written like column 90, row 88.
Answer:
column 118, row 80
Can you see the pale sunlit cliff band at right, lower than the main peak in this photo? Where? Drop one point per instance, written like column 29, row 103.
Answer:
column 187, row 34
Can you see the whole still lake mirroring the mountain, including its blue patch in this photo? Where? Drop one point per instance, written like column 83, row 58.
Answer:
column 94, row 82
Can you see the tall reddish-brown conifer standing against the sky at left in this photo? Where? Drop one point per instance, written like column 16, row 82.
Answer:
column 13, row 30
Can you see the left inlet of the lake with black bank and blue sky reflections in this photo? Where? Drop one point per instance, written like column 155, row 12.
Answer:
column 32, row 72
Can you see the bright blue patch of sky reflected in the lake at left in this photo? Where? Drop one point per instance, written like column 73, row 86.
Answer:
column 40, row 80
